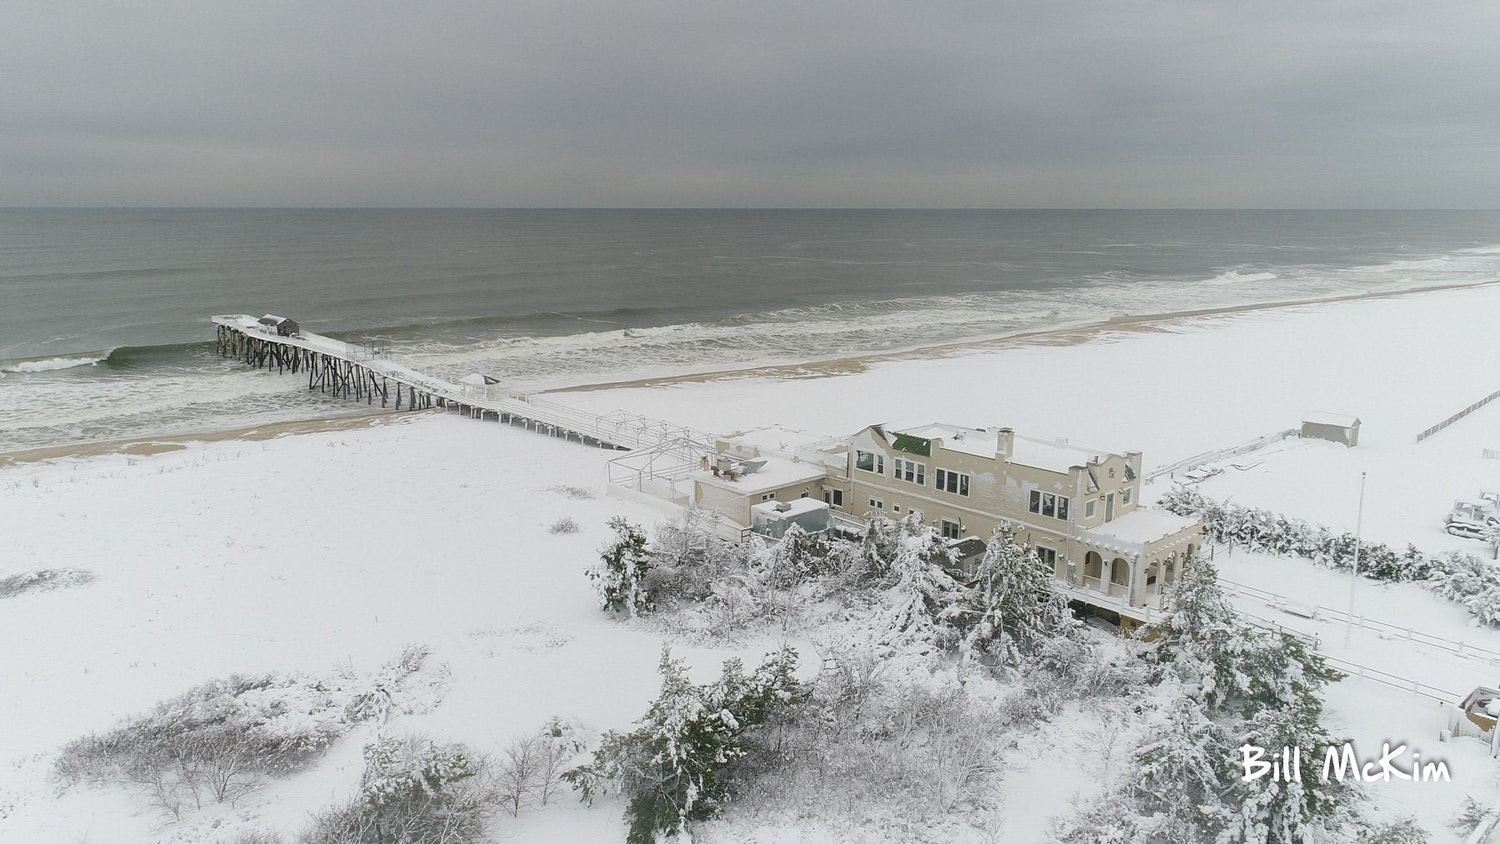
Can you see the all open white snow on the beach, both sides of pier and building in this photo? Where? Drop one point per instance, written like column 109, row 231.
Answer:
column 331, row 549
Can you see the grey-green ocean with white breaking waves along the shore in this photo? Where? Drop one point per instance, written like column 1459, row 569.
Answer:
column 106, row 335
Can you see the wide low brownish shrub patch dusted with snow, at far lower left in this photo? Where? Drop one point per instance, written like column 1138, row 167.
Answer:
column 215, row 743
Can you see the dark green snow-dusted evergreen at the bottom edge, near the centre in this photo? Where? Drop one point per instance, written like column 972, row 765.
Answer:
column 674, row 767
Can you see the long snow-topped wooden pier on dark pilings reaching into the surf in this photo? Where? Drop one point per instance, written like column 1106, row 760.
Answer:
column 367, row 374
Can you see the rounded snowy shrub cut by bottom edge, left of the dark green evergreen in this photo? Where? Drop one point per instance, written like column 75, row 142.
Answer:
column 413, row 792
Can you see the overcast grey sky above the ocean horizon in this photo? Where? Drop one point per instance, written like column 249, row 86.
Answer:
column 1343, row 104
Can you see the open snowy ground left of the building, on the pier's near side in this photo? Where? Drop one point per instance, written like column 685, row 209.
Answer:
column 304, row 555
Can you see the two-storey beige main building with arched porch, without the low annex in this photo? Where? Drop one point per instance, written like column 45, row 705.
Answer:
column 1076, row 507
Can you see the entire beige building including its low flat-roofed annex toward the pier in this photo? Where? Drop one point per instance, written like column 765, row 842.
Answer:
column 1076, row 507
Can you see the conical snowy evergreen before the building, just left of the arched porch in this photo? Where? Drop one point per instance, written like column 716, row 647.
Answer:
column 1012, row 608
